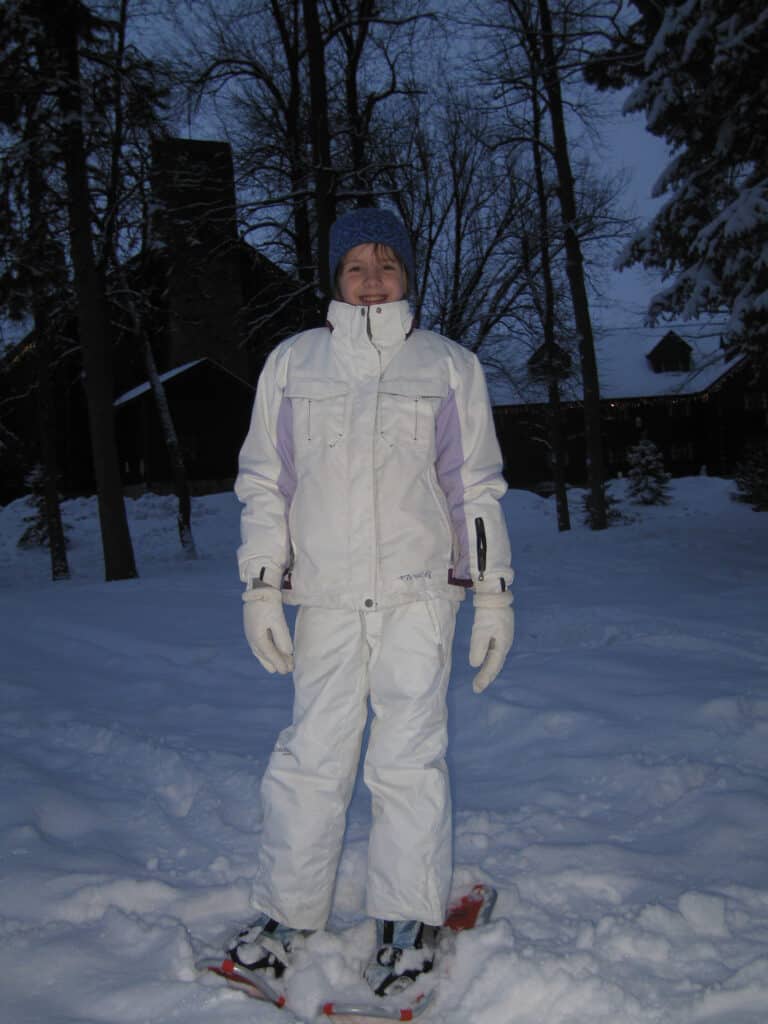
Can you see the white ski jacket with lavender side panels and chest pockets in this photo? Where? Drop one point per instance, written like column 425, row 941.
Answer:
column 371, row 475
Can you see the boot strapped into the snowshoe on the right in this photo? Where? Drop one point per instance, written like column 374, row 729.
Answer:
column 405, row 951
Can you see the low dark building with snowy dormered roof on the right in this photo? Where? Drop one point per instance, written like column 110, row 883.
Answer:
column 679, row 389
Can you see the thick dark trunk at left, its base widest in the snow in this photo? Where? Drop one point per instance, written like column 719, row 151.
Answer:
column 94, row 321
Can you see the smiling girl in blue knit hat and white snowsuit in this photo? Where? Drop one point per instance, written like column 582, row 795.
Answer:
column 371, row 479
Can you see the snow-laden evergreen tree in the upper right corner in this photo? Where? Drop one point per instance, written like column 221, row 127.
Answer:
column 702, row 83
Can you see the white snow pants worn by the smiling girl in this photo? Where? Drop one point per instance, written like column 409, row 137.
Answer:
column 401, row 660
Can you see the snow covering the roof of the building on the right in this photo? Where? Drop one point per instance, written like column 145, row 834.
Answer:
column 624, row 369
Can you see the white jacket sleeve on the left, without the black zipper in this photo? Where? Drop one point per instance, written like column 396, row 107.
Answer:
column 267, row 480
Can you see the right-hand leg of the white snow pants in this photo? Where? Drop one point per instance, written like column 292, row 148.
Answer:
column 410, row 850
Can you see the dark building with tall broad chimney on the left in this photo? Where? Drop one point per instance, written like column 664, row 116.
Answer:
column 212, row 309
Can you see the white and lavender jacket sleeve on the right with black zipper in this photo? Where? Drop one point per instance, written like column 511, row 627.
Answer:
column 470, row 471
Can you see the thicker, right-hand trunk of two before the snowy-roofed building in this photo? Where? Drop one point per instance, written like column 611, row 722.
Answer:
column 575, row 271
